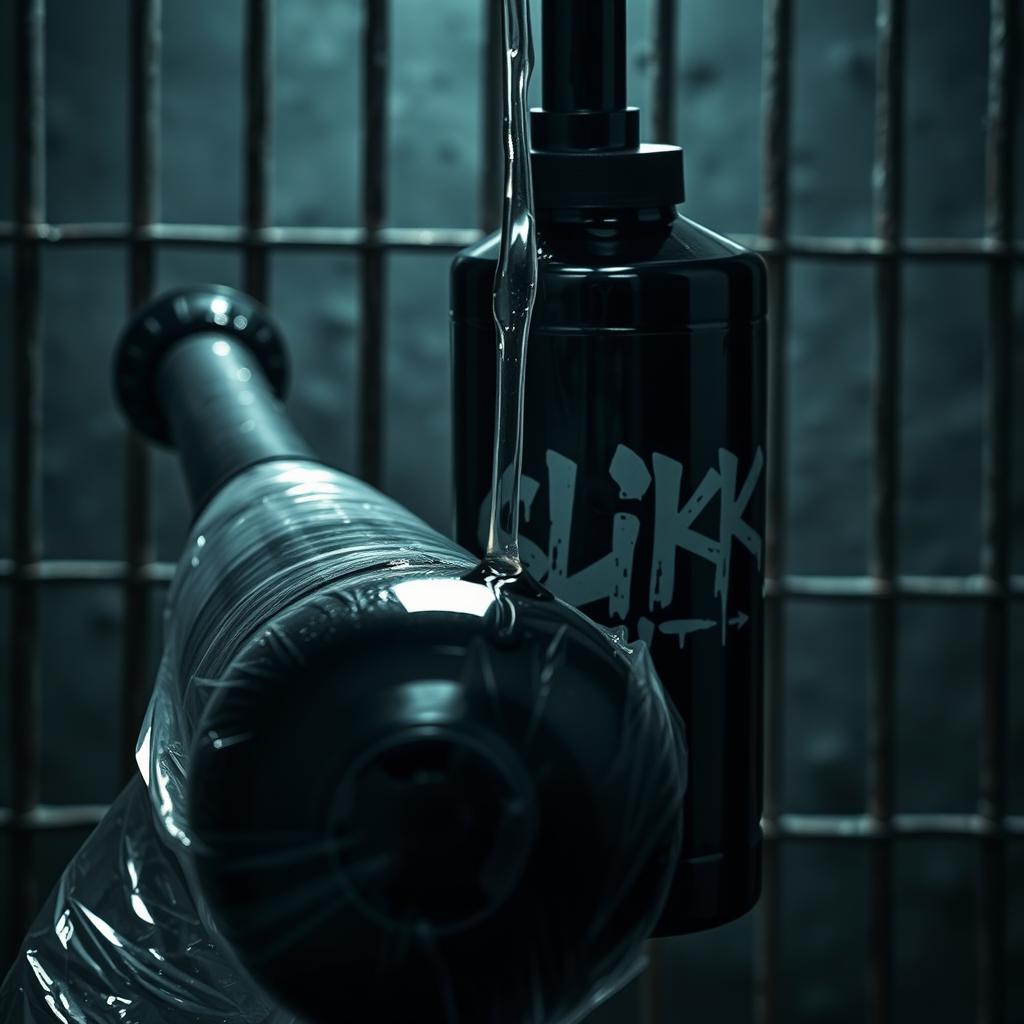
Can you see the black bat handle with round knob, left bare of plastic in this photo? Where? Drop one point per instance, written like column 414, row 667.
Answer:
column 204, row 370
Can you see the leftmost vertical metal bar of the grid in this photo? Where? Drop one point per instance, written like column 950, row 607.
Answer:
column 30, row 192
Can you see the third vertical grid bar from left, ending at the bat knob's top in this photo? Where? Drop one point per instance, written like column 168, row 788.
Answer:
column 260, row 80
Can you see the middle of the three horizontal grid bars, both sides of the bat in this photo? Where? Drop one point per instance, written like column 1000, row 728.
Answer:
column 972, row 588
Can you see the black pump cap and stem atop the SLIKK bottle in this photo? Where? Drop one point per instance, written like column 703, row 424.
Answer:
column 586, row 142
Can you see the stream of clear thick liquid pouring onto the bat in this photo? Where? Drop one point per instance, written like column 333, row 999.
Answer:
column 516, row 288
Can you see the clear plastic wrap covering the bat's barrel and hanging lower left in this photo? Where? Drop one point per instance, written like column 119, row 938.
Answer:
column 291, row 560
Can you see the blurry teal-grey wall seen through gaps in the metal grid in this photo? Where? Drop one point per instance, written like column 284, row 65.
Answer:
column 435, row 182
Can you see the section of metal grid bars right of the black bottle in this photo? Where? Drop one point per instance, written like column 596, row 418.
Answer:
column 884, row 588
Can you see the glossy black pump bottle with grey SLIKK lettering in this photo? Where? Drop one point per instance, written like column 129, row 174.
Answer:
column 644, row 476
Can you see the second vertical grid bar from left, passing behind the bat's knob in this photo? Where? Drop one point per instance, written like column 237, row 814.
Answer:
column 145, row 150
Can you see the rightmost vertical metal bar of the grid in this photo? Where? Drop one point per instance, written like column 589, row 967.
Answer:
column 996, row 511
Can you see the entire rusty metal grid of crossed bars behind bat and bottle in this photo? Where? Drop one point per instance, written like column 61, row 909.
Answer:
column 883, row 588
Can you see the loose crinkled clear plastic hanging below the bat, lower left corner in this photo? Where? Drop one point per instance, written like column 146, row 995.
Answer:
column 121, row 941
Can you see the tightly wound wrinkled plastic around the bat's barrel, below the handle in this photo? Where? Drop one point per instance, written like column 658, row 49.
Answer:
column 231, row 582
